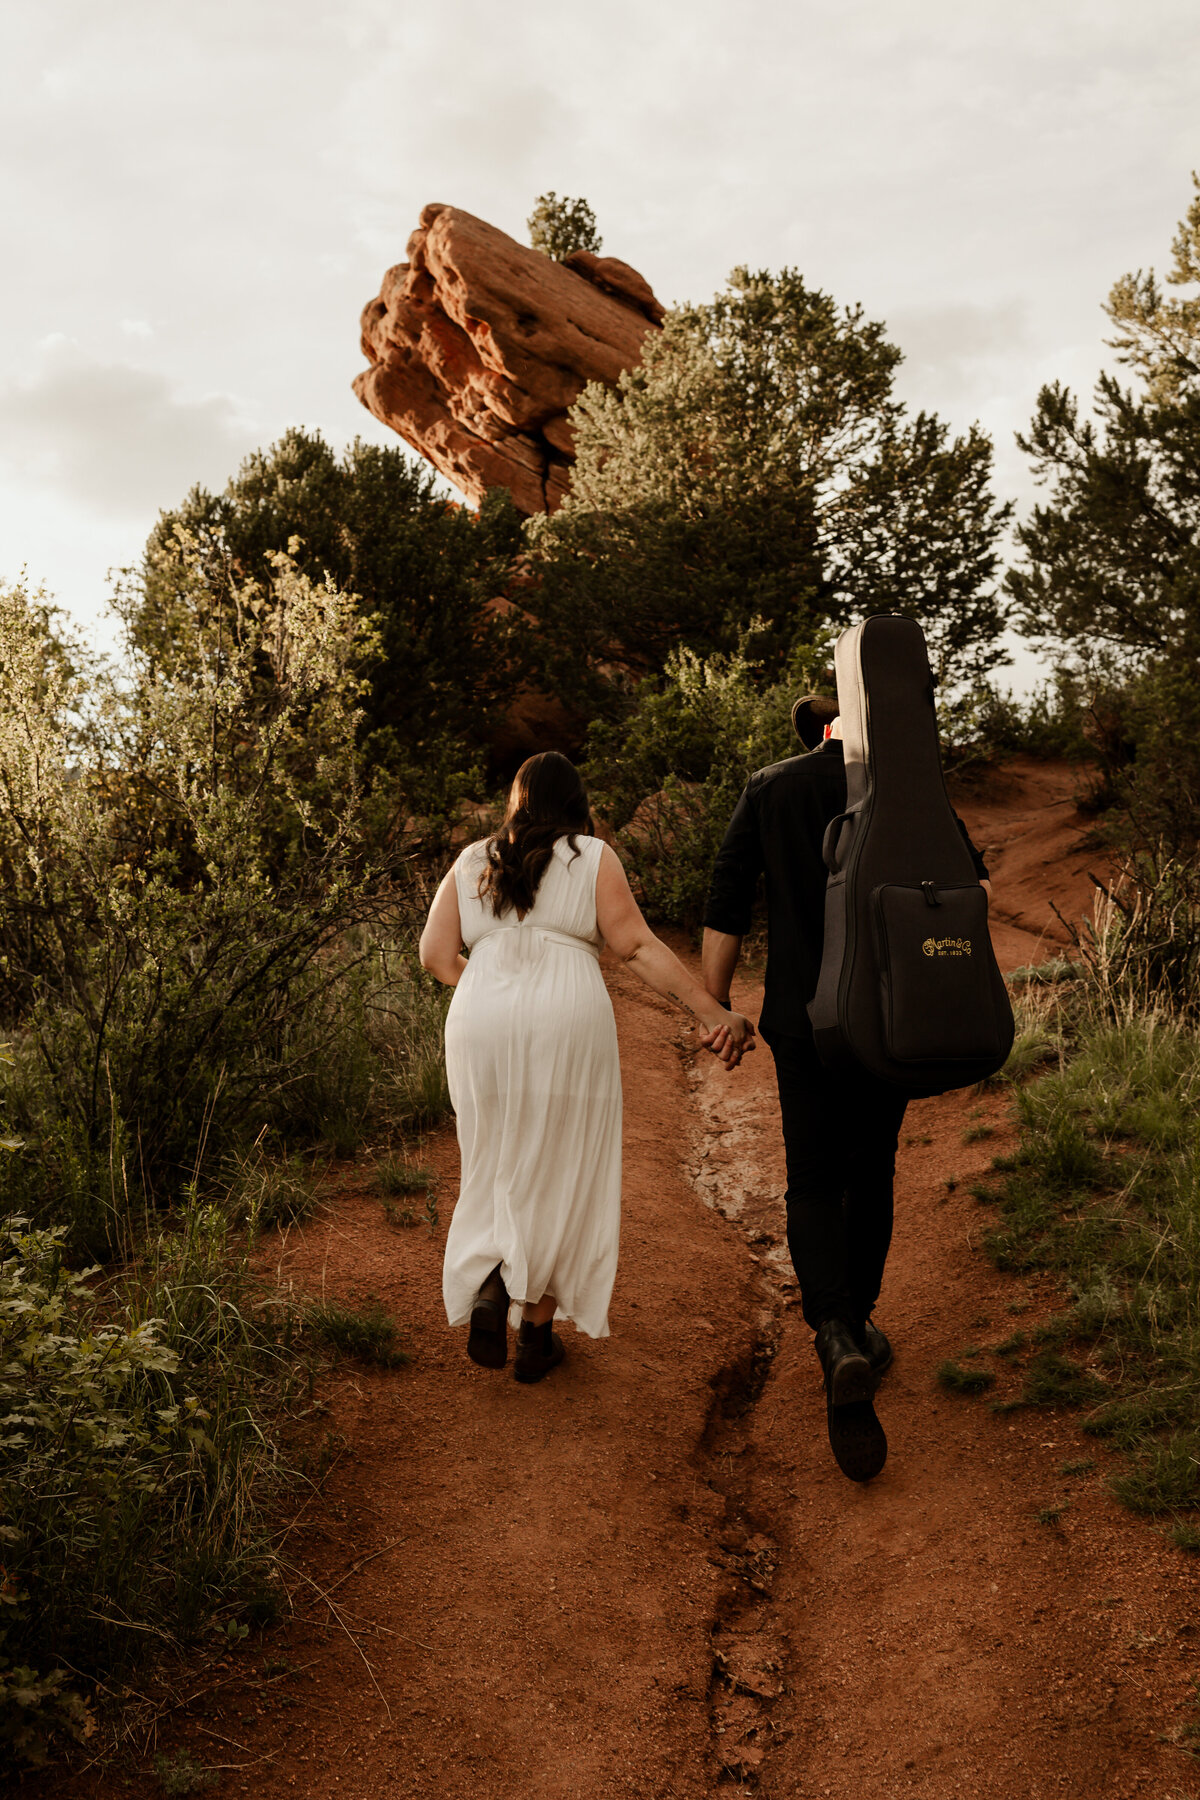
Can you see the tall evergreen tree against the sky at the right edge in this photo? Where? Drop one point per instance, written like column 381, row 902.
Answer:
column 1113, row 561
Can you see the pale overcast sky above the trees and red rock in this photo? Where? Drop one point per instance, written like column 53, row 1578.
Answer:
column 201, row 199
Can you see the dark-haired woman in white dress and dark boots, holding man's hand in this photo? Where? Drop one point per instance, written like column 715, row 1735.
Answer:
column 532, row 1059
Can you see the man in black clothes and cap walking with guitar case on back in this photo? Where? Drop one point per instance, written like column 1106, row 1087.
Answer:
column 839, row 1131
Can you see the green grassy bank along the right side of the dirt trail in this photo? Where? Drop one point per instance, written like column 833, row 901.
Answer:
column 1104, row 1189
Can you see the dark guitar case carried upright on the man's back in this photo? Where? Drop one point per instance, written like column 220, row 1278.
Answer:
column 909, row 985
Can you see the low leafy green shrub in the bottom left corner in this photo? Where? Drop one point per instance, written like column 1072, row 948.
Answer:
column 132, row 1459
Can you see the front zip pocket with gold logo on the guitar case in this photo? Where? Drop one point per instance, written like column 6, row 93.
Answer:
column 936, row 975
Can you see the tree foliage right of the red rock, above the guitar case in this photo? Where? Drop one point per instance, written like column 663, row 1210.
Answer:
column 757, row 465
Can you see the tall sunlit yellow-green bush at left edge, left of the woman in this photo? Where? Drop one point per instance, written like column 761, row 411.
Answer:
column 174, row 879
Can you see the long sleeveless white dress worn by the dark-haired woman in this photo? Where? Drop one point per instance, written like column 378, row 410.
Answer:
column 535, row 1083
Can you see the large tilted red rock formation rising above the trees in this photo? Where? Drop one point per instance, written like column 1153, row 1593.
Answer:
column 478, row 346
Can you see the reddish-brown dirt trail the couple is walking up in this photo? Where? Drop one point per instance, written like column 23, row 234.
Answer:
column 647, row 1576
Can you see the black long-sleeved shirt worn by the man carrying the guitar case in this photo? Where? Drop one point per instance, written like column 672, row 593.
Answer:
column 776, row 831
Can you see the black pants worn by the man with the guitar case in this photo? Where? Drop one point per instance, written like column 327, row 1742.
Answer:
column 841, row 1135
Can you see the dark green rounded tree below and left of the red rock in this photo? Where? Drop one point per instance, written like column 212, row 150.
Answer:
column 424, row 570
